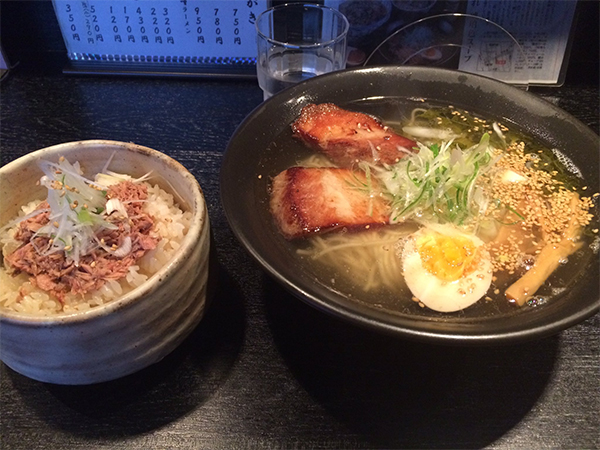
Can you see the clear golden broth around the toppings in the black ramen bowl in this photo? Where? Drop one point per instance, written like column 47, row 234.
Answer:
column 350, row 278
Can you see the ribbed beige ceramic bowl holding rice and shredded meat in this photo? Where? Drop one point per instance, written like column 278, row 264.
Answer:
column 132, row 331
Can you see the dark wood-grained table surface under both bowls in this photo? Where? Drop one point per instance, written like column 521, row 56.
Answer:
column 263, row 369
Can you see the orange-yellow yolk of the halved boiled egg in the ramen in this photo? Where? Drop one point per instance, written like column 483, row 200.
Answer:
column 447, row 257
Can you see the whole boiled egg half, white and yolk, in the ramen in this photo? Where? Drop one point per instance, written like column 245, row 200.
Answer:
column 446, row 269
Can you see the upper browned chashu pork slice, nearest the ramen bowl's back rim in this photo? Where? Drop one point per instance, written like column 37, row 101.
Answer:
column 347, row 137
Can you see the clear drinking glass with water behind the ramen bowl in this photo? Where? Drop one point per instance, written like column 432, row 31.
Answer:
column 298, row 41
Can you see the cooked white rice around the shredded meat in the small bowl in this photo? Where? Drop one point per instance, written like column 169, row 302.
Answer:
column 170, row 223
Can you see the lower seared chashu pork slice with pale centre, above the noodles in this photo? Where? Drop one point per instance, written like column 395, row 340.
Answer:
column 306, row 200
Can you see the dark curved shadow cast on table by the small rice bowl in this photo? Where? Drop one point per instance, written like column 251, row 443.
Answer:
column 156, row 395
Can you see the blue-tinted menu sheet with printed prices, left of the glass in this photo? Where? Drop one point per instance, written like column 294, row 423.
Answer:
column 200, row 37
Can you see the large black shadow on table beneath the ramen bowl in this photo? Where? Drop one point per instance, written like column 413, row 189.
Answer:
column 396, row 393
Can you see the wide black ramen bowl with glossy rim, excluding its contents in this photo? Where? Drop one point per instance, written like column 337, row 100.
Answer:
column 262, row 146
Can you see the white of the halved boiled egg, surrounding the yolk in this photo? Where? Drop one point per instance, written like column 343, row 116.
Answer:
column 441, row 295
